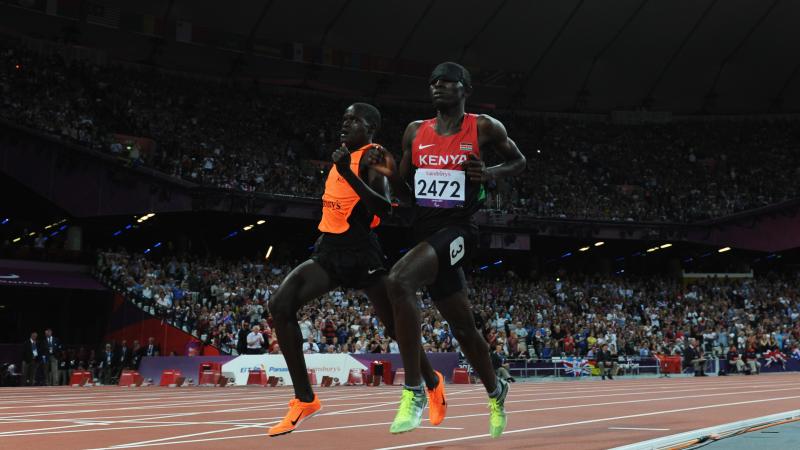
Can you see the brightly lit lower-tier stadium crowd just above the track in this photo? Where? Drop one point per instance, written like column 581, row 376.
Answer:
column 221, row 302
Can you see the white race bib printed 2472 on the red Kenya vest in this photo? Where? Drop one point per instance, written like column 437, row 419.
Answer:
column 439, row 188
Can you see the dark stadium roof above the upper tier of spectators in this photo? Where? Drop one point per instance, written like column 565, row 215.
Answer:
column 685, row 56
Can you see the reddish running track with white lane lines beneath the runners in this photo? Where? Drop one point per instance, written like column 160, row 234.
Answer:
column 580, row 414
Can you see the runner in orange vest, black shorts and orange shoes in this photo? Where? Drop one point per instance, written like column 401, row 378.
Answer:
column 347, row 254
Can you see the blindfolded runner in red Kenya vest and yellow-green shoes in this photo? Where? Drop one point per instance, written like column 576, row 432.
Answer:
column 442, row 173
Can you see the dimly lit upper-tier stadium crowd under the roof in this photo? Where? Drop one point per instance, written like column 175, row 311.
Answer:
column 236, row 135
